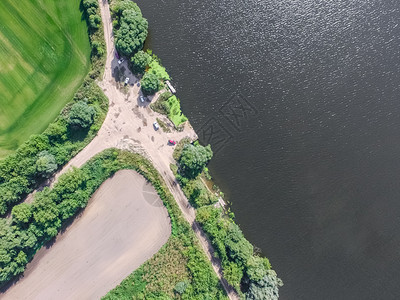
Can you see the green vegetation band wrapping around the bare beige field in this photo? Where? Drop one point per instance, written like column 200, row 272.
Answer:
column 180, row 268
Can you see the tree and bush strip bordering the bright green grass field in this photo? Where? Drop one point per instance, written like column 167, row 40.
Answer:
column 78, row 123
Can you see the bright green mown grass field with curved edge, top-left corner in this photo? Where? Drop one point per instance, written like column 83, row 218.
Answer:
column 44, row 56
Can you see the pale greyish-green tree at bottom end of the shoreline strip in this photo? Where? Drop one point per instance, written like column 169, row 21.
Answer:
column 265, row 289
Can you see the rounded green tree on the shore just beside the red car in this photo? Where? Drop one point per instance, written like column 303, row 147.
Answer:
column 194, row 159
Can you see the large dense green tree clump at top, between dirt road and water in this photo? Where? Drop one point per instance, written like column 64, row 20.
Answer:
column 130, row 28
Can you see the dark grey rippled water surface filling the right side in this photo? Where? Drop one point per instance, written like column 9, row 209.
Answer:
column 311, row 164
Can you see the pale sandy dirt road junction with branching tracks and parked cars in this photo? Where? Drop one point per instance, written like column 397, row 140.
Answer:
column 128, row 125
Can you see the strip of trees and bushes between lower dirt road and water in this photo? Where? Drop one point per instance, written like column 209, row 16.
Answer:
column 250, row 274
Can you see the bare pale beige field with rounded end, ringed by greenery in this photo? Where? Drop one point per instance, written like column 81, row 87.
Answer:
column 124, row 225
